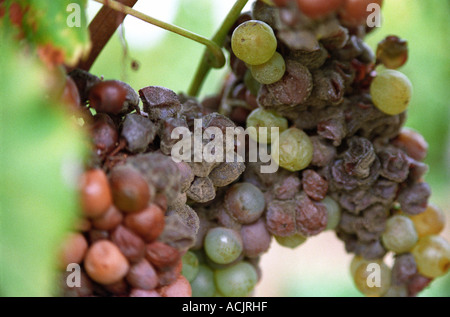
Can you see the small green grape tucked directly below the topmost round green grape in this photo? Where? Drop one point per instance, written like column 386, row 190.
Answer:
column 271, row 71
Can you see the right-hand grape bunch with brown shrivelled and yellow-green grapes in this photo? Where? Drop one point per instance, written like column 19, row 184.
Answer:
column 348, row 163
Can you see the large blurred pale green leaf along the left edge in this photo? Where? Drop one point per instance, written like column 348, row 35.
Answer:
column 40, row 149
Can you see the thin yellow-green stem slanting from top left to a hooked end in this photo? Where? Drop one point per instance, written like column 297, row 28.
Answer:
column 216, row 56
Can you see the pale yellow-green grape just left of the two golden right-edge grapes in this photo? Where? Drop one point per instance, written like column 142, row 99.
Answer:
column 400, row 235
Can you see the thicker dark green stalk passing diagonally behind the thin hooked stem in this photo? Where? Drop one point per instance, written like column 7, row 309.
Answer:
column 207, row 62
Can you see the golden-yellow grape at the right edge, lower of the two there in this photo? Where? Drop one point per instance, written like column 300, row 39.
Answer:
column 432, row 255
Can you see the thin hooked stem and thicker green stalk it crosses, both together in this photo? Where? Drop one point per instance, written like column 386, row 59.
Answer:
column 213, row 55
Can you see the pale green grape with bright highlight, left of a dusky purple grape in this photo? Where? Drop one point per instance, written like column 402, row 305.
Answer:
column 223, row 245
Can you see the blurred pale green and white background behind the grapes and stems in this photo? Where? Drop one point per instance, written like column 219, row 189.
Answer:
column 171, row 60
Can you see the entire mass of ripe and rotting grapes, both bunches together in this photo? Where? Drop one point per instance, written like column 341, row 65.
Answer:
column 152, row 225
